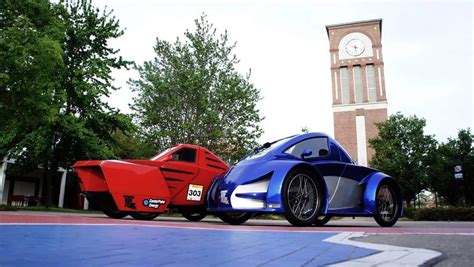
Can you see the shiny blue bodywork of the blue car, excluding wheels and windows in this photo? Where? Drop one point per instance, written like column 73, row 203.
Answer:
column 277, row 163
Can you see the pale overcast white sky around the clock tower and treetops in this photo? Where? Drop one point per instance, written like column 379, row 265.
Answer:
column 427, row 48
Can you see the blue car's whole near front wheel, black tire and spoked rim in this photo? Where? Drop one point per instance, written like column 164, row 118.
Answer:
column 302, row 196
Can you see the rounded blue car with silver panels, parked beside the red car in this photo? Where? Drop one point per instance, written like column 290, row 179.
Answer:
column 308, row 178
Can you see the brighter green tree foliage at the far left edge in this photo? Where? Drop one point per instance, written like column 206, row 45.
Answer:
column 31, row 61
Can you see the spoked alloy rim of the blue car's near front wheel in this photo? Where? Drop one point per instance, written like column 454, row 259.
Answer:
column 303, row 196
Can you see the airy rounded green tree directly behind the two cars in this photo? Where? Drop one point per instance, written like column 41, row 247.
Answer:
column 191, row 93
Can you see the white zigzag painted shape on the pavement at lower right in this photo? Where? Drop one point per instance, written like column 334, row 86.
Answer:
column 388, row 255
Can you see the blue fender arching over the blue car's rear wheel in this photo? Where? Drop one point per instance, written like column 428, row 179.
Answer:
column 372, row 182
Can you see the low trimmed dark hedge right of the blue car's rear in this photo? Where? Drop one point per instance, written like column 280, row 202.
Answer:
column 440, row 214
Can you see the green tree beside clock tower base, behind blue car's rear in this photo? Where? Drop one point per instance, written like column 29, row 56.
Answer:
column 402, row 150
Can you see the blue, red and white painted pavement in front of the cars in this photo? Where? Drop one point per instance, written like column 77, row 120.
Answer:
column 275, row 242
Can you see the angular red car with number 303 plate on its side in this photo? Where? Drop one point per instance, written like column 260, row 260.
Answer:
column 177, row 178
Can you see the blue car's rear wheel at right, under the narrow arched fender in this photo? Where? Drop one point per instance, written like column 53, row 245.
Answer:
column 386, row 204
